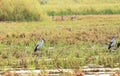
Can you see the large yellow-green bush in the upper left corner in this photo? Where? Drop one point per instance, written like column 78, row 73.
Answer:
column 21, row 10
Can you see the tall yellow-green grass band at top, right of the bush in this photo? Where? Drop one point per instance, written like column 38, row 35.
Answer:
column 81, row 7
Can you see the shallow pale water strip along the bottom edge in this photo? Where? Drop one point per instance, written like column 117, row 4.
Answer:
column 57, row 72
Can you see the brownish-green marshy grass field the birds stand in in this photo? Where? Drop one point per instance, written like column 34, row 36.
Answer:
column 81, row 42
